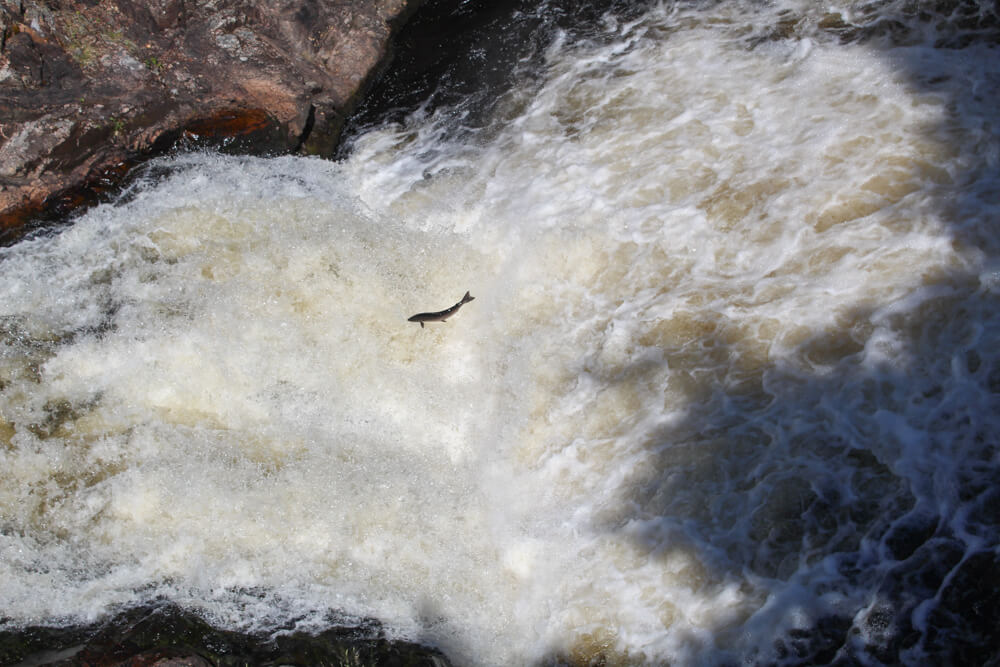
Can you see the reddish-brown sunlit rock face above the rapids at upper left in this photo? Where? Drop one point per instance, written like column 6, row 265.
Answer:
column 90, row 87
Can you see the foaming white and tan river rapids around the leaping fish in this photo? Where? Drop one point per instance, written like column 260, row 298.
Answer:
column 729, row 390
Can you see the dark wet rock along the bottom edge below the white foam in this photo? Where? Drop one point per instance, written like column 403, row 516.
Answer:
column 165, row 635
